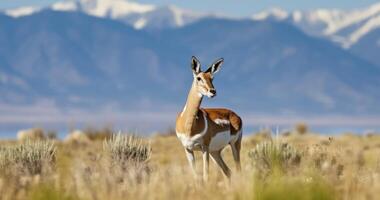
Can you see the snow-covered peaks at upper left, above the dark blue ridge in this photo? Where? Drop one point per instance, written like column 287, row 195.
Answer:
column 132, row 13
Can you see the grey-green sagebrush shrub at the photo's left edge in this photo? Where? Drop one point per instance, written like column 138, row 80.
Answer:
column 29, row 157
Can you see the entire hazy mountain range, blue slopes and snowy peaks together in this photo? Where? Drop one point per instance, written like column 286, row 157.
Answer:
column 78, row 58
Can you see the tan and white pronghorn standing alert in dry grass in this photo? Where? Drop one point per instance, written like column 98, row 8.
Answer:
column 208, row 129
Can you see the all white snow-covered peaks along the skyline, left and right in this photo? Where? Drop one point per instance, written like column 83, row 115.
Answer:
column 341, row 26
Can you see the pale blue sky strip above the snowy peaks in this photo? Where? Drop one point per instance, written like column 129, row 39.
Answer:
column 228, row 7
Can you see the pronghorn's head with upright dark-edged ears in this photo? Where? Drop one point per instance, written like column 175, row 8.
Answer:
column 203, row 80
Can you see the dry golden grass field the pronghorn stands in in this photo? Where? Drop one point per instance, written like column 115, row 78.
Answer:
column 296, row 166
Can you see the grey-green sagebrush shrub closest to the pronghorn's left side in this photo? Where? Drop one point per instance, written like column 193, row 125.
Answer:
column 127, row 149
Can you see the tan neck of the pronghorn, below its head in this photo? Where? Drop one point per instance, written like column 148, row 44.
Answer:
column 191, row 108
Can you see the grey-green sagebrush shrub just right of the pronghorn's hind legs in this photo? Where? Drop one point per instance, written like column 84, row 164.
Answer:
column 271, row 155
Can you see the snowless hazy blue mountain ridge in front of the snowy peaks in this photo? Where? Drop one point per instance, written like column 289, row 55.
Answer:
column 90, row 61
